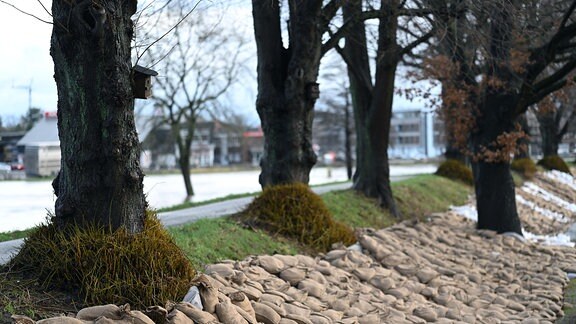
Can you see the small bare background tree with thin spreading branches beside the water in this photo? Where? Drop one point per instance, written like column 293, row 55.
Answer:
column 196, row 65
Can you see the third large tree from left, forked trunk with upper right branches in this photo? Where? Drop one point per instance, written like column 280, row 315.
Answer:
column 372, row 100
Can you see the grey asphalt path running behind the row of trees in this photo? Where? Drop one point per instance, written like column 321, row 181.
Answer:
column 190, row 215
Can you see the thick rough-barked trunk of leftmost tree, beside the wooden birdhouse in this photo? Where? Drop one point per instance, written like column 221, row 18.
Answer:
column 100, row 180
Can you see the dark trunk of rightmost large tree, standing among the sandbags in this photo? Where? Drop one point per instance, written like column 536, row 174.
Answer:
column 497, row 112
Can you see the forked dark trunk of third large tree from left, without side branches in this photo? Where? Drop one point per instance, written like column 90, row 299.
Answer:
column 372, row 103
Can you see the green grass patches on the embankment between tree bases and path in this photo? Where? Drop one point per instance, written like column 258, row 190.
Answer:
column 210, row 240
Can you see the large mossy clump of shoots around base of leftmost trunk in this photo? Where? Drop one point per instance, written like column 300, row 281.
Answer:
column 142, row 269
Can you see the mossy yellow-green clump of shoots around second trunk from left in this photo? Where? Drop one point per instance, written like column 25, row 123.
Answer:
column 294, row 211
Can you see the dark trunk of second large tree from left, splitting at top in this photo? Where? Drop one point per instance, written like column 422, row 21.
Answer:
column 286, row 78
